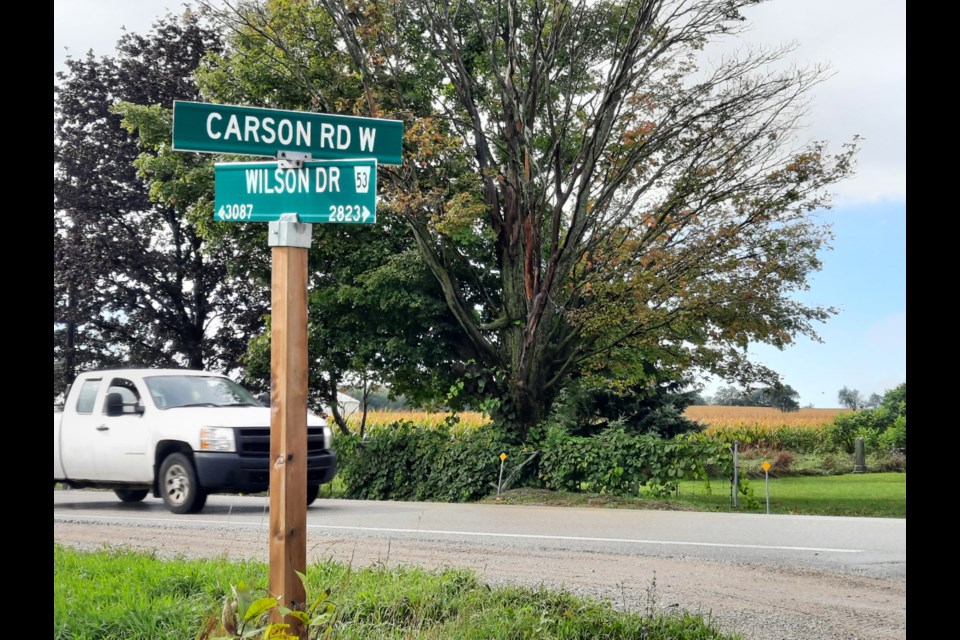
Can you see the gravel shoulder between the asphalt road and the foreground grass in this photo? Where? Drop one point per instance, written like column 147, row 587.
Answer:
column 761, row 604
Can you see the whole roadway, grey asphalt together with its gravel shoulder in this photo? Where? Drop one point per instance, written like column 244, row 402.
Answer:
column 764, row 576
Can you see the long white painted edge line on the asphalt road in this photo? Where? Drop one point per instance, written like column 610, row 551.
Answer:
column 479, row 534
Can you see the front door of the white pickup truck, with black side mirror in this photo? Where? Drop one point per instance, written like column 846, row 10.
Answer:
column 123, row 441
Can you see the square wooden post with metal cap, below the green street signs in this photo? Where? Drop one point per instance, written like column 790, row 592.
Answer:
column 288, row 420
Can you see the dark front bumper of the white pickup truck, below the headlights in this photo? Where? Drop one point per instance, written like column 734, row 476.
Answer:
column 233, row 473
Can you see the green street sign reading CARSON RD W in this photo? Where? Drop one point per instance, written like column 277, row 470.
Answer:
column 219, row 128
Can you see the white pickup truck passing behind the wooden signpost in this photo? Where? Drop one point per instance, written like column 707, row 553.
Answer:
column 178, row 434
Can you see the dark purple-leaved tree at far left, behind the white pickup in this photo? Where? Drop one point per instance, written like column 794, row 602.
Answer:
column 134, row 281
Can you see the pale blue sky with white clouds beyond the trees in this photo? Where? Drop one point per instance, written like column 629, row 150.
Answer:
column 863, row 42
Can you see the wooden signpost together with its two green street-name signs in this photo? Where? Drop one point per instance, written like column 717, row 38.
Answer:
column 325, row 171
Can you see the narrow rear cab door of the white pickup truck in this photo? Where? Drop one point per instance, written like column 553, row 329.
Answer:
column 78, row 432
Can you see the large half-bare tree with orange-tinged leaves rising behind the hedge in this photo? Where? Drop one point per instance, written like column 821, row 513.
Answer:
column 587, row 195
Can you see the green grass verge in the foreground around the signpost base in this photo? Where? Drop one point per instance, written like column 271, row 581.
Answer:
column 123, row 595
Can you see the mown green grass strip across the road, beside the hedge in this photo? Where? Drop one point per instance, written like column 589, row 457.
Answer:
column 881, row 495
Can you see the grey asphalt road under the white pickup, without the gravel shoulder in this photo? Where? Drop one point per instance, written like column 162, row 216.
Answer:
column 865, row 546
